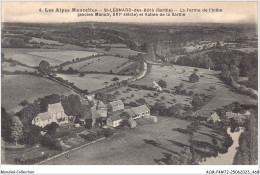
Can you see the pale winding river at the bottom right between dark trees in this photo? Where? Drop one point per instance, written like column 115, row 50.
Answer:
column 227, row 158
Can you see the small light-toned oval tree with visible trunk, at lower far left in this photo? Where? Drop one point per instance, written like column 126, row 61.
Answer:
column 16, row 129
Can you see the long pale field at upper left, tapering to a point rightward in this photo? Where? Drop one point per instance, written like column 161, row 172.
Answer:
column 33, row 57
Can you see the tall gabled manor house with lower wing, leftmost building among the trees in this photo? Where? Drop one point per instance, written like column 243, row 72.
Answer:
column 55, row 113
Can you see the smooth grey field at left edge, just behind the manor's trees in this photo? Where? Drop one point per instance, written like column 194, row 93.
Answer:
column 16, row 88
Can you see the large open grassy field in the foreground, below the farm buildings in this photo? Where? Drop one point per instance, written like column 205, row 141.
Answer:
column 130, row 147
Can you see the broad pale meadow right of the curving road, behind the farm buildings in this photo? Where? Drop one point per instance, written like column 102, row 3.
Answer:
column 174, row 76
